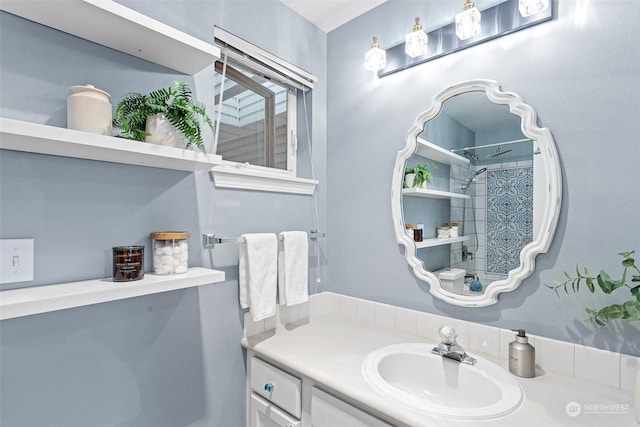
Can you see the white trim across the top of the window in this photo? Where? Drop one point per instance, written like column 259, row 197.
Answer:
column 278, row 66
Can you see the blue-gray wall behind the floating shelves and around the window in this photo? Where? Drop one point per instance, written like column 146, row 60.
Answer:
column 172, row 359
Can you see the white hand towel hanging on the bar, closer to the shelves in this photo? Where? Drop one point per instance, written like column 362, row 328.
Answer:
column 258, row 274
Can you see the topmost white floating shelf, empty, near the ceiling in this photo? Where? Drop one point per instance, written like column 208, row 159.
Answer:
column 113, row 25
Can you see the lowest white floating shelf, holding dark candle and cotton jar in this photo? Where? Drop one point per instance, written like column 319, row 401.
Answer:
column 43, row 299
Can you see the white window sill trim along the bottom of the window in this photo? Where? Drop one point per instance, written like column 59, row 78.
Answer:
column 249, row 177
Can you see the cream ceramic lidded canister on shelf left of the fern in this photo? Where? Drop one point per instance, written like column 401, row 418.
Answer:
column 89, row 110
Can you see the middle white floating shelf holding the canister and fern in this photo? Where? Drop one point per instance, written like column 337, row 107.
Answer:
column 37, row 138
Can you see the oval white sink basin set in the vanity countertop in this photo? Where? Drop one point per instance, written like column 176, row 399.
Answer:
column 411, row 376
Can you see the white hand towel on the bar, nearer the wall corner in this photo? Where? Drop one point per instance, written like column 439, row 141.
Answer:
column 293, row 260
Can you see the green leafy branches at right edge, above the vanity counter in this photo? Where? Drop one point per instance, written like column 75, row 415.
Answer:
column 629, row 310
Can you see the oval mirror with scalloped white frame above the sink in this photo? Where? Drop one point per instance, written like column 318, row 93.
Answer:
column 492, row 196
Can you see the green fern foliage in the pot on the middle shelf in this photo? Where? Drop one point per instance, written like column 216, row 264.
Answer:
column 175, row 103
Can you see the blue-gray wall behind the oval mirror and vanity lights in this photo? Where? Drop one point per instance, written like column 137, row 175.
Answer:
column 579, row 72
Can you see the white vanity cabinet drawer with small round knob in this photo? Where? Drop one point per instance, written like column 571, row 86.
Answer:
column 277, row 386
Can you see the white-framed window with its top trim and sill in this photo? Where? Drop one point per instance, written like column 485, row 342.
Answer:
column 256, row 100
